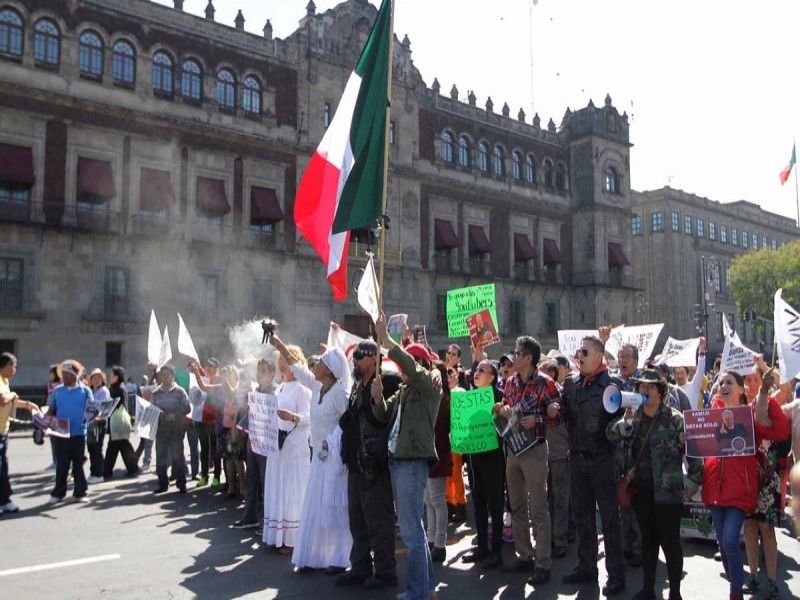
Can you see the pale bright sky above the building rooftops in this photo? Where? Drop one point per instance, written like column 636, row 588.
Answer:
column 710, row 86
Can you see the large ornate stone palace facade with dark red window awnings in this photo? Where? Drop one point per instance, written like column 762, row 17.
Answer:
column 149, row 159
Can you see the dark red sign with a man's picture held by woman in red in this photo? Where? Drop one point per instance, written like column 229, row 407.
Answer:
column 720, row 432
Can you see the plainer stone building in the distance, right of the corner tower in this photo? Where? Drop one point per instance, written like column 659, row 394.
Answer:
column 680, row 238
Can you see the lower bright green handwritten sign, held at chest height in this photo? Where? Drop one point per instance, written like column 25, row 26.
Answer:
column 471, row 426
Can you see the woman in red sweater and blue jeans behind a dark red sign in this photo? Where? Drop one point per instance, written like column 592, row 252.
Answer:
column 731, row 484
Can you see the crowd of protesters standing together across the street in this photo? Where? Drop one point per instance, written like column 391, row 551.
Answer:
column 365, row 447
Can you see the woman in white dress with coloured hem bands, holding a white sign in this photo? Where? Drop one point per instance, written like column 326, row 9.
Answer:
column 287, row 470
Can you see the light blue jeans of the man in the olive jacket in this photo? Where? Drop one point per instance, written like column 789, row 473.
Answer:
column 409, row 478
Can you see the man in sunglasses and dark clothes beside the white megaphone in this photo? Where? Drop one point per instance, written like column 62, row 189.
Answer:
column 592, row 473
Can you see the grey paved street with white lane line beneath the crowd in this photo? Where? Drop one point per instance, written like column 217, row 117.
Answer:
column 137, row 545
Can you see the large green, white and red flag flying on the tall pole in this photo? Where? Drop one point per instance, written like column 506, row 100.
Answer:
column 342, row 187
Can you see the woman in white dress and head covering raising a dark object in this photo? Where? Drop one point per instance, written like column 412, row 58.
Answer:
column 323, row 542
